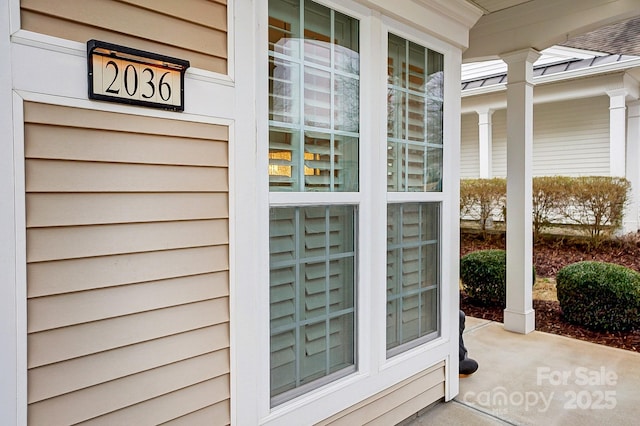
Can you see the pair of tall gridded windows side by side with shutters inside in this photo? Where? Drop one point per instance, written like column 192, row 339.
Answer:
column 315, row 152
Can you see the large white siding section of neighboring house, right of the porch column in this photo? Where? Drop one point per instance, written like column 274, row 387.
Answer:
column 571, row 138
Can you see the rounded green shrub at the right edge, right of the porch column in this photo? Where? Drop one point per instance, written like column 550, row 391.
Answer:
column 599, row 295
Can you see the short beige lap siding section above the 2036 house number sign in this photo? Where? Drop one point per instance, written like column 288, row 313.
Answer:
column 195, row 30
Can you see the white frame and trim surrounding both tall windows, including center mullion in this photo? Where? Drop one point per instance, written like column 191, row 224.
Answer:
column 375, row 371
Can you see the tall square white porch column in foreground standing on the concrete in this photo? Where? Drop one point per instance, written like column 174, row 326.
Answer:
column 519, row 315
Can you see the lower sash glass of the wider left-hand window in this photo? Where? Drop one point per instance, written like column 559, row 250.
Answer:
column 312, row 296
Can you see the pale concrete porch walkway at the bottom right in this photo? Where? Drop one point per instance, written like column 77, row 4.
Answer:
column 541, row 379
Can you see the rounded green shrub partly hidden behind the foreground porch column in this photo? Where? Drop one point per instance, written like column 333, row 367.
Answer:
column 484, row 277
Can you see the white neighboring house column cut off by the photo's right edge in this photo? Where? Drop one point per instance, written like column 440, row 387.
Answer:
column 633, row 167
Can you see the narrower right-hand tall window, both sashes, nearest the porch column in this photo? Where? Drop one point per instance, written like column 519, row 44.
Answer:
column 414, row 164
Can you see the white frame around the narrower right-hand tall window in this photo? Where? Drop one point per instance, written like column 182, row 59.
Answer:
column 447, row 197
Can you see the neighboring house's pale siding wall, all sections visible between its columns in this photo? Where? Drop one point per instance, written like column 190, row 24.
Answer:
column 570, row 138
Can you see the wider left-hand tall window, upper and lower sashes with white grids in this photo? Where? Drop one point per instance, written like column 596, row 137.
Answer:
column 313, row 147
